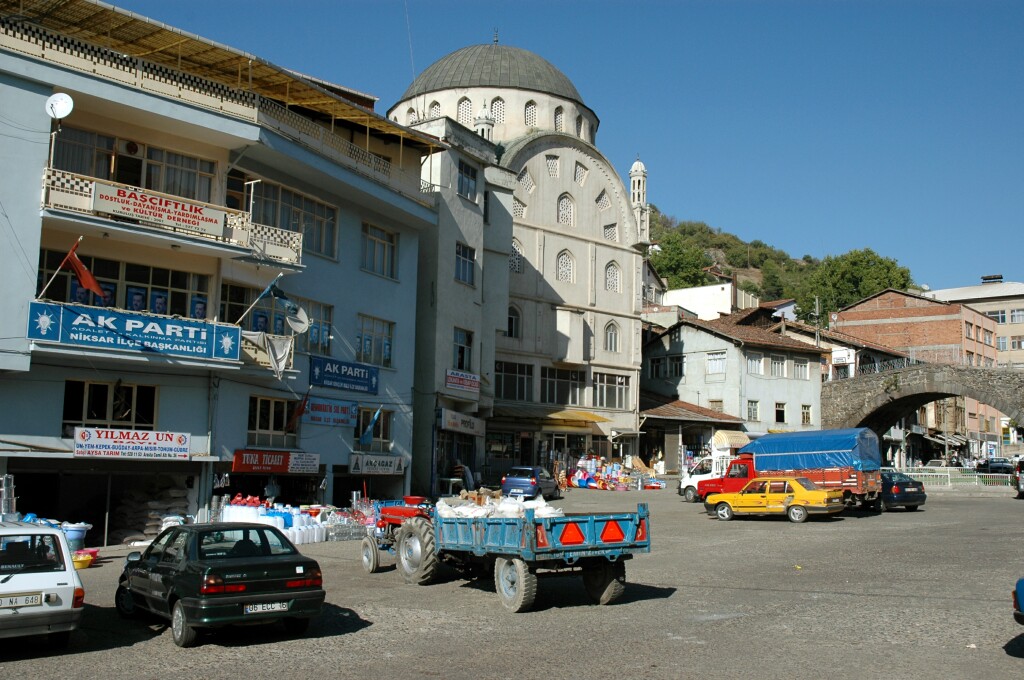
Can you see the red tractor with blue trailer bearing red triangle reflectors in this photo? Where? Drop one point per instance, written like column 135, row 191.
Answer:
column 517, row 550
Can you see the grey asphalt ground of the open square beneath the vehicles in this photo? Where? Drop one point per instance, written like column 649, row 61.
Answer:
column 899, row 596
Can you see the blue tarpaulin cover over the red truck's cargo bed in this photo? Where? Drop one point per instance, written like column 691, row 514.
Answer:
column 856, row 447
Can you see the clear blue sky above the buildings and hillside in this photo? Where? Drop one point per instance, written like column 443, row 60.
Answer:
column 819, row 127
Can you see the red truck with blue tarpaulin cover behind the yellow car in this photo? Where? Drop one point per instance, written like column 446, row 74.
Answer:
column 846, row 459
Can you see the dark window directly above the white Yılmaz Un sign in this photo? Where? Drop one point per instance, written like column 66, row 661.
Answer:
column 115, row 405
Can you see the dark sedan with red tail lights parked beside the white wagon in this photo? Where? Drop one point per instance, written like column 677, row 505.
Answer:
column 210, row 576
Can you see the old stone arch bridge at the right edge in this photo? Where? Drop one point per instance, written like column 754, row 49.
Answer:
column 878, row 401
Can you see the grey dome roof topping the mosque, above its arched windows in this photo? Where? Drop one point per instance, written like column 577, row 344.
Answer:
column 493, row 66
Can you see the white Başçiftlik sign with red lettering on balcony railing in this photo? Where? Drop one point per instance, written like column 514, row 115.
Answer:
column 169, row 212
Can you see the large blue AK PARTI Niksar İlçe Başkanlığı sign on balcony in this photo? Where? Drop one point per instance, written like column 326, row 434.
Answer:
column 112, row 329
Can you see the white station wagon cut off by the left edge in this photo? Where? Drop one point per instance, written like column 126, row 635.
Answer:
column 40, row 591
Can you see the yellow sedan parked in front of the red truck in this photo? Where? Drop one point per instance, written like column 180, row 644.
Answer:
column 794, row 497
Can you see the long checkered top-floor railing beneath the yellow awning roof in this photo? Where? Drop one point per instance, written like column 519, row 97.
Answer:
column 192, row 90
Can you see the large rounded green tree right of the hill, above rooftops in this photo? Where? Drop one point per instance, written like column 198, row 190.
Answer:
column 842, row 280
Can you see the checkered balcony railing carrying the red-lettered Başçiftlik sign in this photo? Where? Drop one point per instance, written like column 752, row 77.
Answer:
column 173, row 215
